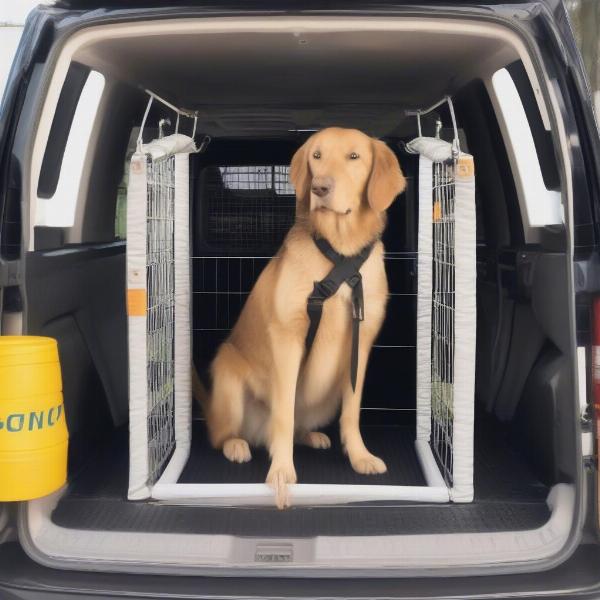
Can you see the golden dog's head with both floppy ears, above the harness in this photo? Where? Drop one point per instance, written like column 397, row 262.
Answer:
column 344, row 181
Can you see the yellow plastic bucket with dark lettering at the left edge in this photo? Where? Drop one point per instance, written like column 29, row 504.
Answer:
column 33, row 430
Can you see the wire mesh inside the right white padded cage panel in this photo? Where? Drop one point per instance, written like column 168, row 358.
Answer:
column 442, row 316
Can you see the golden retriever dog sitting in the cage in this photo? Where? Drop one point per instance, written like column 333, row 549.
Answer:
column 267, row 389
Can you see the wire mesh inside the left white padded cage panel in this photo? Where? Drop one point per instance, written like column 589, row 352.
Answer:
column 160, row 315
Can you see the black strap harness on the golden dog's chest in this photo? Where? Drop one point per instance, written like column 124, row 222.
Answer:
column 346, row 269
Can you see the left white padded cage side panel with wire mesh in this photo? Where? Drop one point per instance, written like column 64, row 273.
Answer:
column 158, row 307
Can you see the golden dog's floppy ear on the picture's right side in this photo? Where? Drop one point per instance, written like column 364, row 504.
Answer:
column 386, row 180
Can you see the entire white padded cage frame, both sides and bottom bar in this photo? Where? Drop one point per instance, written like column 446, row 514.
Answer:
column 159, row 173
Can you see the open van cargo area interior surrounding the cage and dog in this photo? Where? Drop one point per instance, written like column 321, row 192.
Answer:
column 258, row 88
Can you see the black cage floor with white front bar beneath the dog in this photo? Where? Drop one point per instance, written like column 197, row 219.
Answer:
column 325, row 476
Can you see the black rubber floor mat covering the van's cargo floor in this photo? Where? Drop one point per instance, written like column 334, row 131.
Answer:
column 508, row 496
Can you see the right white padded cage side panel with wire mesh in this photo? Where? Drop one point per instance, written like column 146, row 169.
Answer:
column 446, row 311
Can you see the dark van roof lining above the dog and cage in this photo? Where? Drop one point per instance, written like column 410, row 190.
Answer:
column 293, row 79
